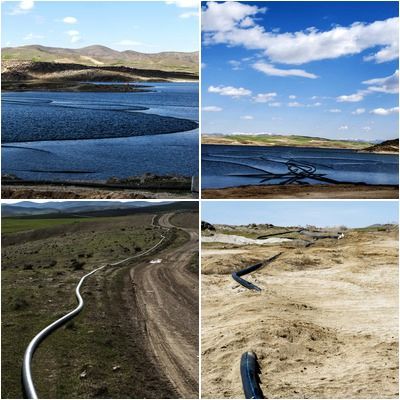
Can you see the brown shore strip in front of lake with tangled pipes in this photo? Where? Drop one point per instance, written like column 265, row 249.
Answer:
column 343, row 191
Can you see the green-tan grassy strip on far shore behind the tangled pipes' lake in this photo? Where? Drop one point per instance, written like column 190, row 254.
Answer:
column 280, row 140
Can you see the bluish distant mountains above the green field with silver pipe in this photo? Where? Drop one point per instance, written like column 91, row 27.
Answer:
column 28, row 208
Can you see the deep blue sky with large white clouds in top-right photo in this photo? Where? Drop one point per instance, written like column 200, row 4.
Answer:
column 310, row 68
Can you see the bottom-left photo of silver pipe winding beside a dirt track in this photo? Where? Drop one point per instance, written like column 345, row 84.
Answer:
column 105, row 293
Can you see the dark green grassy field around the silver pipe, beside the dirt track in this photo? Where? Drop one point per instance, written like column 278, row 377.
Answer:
column 39, row 275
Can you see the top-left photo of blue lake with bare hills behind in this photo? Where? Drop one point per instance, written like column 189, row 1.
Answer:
column 100, row 99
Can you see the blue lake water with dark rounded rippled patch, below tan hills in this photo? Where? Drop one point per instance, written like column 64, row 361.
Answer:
column 93, row 136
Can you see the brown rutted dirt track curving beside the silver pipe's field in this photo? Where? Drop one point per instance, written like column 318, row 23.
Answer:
column 166, row 302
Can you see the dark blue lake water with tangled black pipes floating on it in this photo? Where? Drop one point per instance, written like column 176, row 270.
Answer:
column 228, row 166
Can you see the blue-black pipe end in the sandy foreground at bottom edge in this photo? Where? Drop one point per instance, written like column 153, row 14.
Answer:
column 249, row 370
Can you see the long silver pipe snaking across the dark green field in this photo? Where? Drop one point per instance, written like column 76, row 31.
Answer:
column 27, row 380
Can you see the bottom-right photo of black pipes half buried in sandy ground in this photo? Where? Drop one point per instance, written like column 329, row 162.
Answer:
column 299, row 299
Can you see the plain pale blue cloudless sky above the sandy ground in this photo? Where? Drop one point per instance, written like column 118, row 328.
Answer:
column 289, row 213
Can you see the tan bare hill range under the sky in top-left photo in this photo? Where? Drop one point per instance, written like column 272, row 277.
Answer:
column 98, row 56
